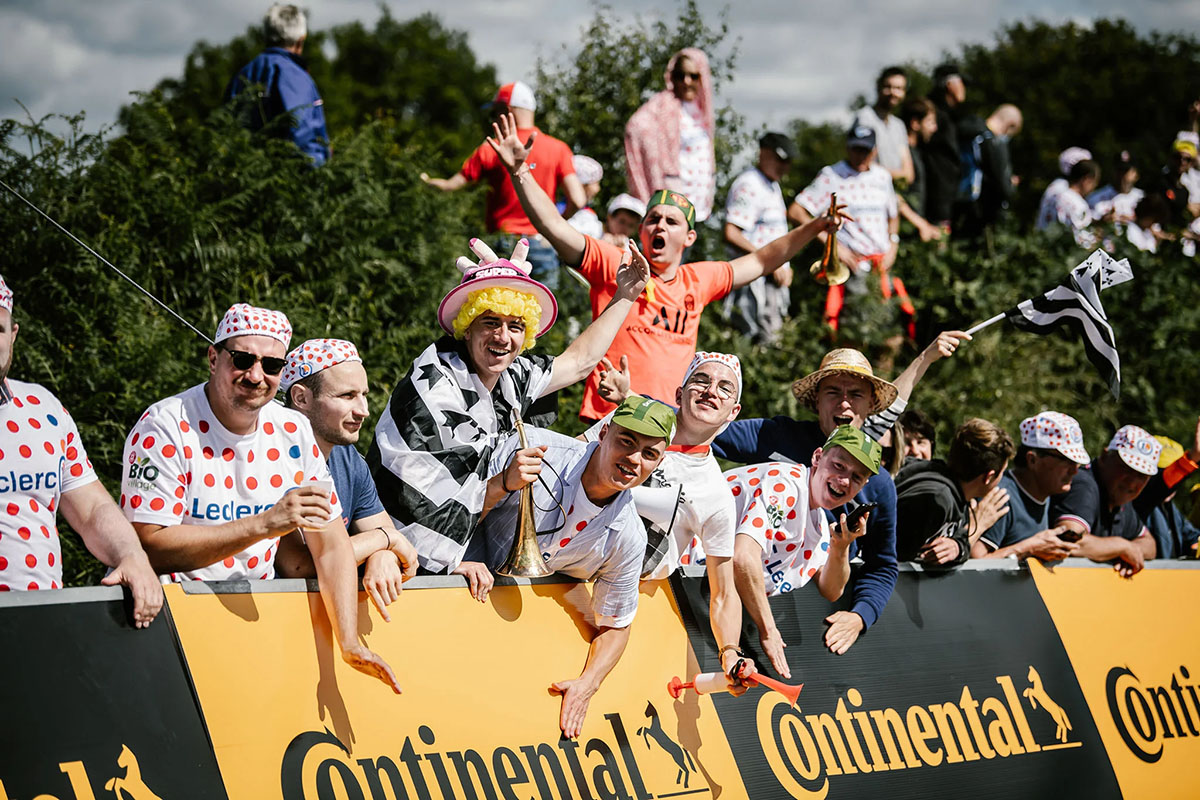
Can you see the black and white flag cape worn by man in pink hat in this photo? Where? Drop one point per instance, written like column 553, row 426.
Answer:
column 433, row 446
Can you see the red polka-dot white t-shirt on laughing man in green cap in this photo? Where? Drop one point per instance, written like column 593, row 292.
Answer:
column 772, row 507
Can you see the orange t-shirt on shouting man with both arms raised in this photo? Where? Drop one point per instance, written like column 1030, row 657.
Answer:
column 658, row 339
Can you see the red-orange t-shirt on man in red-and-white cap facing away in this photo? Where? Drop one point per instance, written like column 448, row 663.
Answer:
column 550, row 163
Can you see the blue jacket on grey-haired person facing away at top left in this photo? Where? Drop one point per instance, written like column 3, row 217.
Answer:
column 290, row 89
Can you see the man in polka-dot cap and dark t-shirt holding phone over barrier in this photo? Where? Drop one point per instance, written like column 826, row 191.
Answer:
column 1051, row 454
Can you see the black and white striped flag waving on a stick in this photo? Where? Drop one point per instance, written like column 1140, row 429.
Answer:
column 1076, row 304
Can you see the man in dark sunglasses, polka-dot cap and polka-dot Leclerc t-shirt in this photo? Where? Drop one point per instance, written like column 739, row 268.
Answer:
column 219, row 473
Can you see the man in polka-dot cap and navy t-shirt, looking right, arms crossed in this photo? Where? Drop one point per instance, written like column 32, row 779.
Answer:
column 325, row 381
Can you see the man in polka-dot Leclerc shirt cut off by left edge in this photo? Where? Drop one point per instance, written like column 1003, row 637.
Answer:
column 55, row 472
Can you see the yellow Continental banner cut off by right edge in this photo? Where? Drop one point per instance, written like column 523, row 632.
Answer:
column 1136, row 648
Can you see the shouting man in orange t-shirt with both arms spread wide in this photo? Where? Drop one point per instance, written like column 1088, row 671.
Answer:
column 659, row 339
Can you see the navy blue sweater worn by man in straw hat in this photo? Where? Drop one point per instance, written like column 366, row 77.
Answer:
column 782, row 438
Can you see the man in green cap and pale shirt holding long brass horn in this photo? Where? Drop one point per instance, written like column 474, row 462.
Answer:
column 586, row 522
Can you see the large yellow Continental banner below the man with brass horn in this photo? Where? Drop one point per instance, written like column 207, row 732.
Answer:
column 290, row 720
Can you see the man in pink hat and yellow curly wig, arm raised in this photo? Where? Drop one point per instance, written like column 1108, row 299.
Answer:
column 435, row 440
